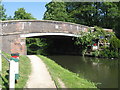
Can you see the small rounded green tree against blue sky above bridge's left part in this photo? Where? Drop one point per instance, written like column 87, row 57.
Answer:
column 22, row 14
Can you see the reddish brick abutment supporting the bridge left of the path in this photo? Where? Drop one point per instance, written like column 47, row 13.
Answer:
column 14, row 44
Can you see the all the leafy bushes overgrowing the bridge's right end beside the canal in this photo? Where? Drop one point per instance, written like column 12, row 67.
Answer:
column 87, row 39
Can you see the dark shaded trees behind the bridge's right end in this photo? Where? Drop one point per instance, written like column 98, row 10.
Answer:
column 102, row 14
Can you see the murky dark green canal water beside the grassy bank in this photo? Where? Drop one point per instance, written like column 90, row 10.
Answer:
column 103, row 71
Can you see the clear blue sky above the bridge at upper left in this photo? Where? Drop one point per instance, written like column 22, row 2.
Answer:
column 37, row 9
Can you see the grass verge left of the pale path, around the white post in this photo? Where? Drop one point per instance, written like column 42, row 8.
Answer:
column 25, row 70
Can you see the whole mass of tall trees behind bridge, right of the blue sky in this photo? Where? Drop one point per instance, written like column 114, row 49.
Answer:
column 102, row 14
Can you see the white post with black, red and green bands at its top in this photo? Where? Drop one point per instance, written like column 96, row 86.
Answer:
column 14, row 70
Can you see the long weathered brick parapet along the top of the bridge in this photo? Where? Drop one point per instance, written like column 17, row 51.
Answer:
column 40, row 26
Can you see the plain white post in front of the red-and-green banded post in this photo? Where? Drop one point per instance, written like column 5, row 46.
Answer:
column 12, row 75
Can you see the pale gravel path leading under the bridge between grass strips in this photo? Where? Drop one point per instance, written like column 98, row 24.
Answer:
column 40, row 77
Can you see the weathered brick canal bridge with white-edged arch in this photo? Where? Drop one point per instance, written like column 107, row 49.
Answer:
column 13, row 33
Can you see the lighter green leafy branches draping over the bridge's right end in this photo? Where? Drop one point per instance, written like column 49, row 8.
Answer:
column 87, row 38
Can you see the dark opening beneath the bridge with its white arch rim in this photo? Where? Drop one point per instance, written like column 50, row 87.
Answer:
column 55, row 44
